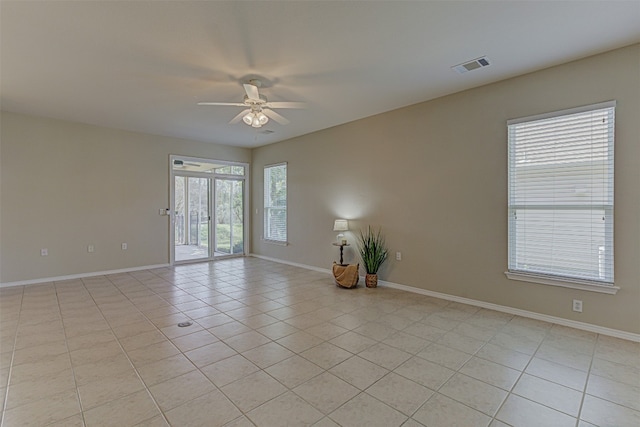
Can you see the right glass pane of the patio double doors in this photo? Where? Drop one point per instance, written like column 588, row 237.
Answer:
column 229, row 208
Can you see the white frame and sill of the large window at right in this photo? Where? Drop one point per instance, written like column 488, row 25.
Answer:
column 552, row 278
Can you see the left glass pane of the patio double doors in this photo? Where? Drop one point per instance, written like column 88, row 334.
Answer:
column 192, row 218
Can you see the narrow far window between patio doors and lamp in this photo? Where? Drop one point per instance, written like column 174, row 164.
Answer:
column 275, row 203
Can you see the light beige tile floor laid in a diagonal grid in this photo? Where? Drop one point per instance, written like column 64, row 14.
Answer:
column 274, row 345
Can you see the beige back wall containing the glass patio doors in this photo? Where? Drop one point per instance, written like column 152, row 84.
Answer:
column 65, row 185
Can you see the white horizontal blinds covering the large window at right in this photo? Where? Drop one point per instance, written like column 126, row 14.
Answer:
column 561, row 194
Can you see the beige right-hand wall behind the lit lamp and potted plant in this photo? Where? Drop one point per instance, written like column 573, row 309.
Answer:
column 434, row 175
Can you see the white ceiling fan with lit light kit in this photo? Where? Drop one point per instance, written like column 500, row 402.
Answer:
column 259, row 110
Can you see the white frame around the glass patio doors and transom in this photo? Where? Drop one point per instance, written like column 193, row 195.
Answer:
column 212, row 176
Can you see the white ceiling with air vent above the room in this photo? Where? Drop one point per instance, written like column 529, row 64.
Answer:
column 143, row 65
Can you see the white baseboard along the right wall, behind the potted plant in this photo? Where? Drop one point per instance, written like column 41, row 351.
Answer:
column 504, row 309
